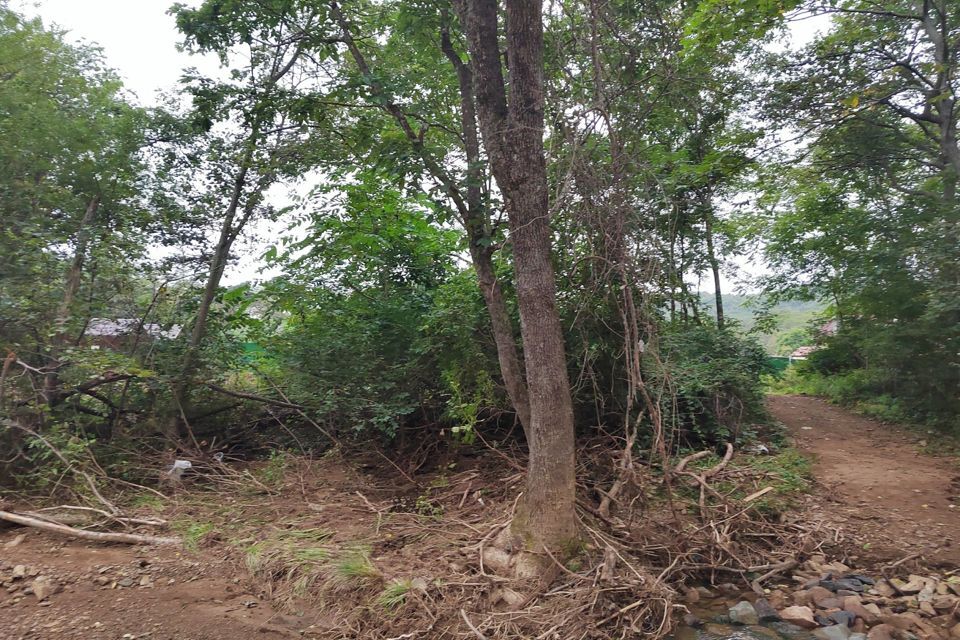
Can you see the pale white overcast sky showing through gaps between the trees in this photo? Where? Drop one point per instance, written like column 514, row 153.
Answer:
column 139, row 40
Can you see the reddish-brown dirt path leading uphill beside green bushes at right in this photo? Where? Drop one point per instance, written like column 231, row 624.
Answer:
column 875, row 485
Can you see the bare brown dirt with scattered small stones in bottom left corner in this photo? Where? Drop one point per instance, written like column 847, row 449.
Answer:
column 115, row 592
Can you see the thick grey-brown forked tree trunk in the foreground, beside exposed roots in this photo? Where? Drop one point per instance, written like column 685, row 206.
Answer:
column 513, row 135
